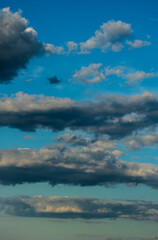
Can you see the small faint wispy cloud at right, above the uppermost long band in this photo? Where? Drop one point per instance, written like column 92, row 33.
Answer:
column 136, row 77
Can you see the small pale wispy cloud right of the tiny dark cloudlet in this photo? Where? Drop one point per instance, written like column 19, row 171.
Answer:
column 90, row 74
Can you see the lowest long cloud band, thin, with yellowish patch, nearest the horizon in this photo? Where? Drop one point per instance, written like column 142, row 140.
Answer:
column 74, row 207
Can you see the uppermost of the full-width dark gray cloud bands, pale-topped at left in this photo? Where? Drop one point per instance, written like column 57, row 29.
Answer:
column 114, row 115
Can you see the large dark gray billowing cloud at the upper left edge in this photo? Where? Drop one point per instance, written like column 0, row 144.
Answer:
column 18, row 44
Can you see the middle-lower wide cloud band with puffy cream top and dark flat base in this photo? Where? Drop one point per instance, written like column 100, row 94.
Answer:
column 97, row 163
